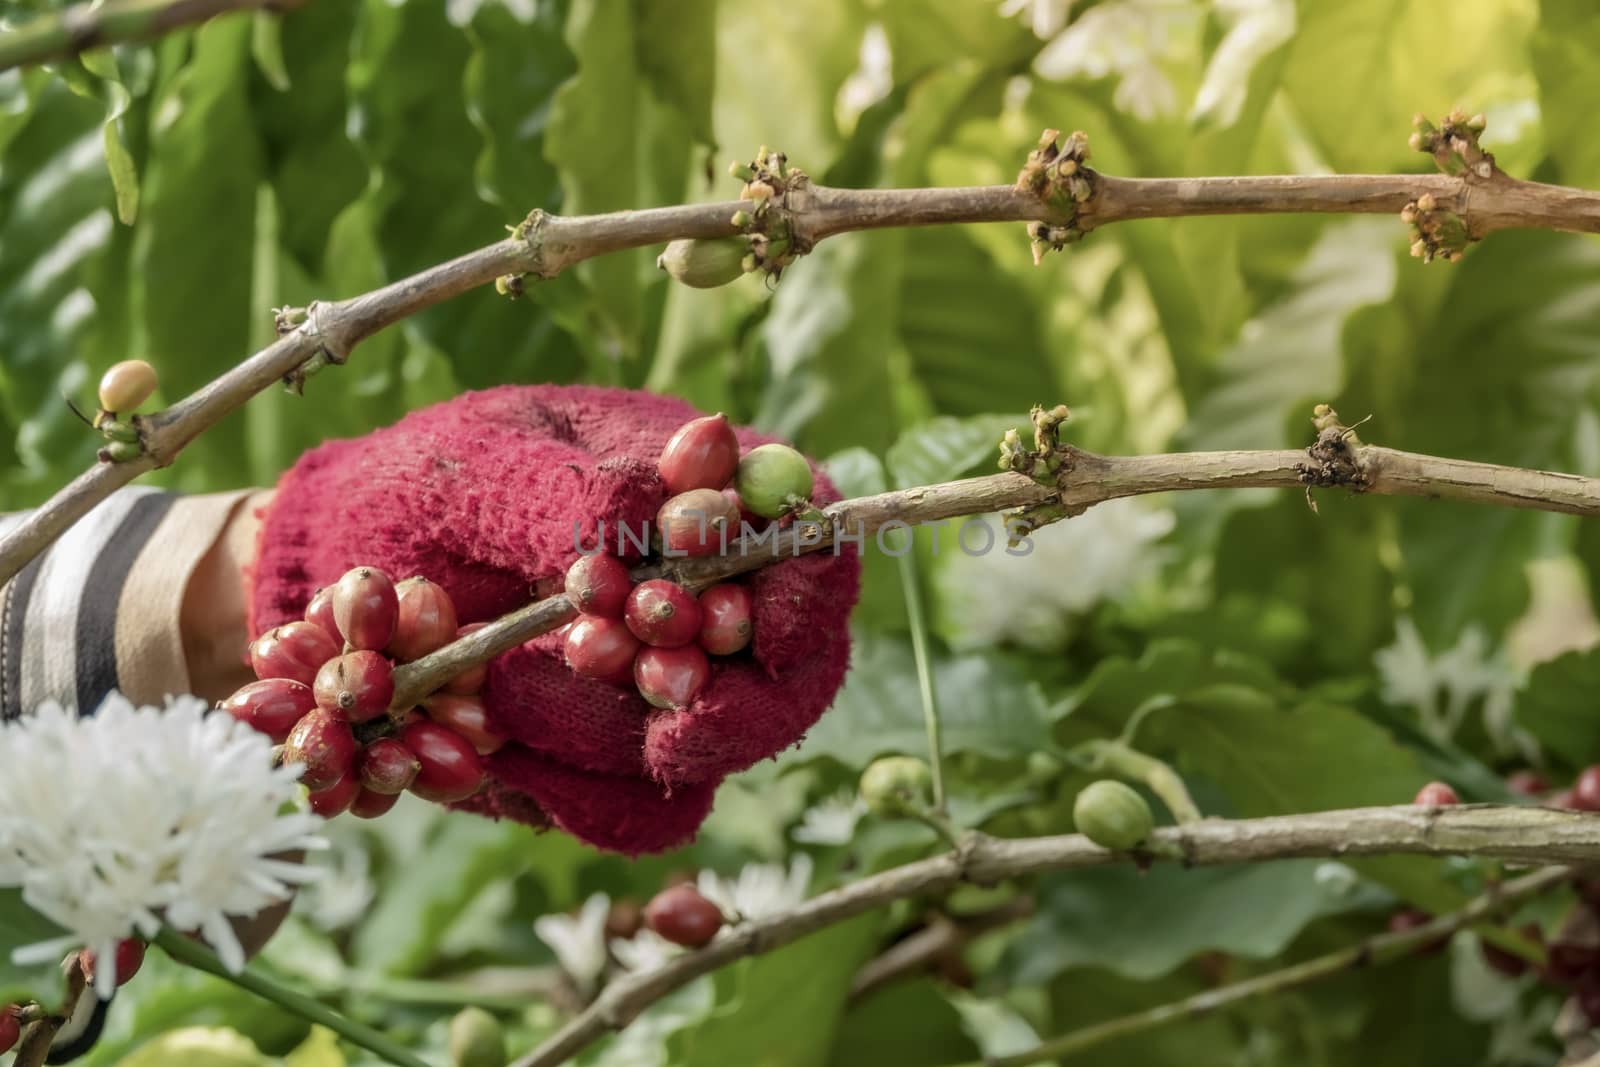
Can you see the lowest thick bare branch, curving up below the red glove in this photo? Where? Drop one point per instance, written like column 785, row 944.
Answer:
column 1526, row 836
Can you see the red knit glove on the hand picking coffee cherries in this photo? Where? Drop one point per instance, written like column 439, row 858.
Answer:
column 481, row 495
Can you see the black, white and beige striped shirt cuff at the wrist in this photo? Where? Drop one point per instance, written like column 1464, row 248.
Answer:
column 100, row 609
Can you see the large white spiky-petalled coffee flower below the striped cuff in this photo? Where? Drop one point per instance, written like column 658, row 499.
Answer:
column 140, row 817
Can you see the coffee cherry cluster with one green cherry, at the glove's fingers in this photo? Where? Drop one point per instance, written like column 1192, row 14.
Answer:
column 657, row 636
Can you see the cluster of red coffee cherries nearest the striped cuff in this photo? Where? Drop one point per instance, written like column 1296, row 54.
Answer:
column 326, row 685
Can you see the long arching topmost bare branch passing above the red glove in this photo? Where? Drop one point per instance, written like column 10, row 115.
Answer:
column 545, row 246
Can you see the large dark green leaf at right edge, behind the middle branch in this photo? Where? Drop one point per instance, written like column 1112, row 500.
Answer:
column 1495, row 361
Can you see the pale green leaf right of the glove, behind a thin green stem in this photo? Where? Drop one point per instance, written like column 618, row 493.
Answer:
column 986, row 705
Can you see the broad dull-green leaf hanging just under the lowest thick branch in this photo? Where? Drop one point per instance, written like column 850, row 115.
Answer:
column 1146, row 924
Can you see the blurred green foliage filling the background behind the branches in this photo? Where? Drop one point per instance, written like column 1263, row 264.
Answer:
column 159, row 201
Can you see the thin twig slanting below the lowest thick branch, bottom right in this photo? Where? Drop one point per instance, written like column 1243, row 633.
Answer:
column 1374, row 951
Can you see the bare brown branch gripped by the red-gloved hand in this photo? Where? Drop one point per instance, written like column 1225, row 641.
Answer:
column 1087, row 479
